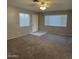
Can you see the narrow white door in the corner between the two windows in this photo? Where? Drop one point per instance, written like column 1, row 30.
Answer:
column 34, row 23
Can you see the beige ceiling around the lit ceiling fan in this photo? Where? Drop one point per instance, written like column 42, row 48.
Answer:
column 54, row 5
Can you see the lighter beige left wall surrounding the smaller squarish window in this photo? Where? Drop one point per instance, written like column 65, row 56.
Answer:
column 13, row 27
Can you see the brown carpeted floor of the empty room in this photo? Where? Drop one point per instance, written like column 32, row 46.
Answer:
column 48, row 46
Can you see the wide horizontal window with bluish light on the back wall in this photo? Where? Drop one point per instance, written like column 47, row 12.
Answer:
column 56, row 20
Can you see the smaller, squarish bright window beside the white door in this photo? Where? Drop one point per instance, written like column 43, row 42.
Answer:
column 24, row 20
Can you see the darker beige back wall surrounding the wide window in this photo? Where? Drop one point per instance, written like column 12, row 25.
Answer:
column 56, row 30
